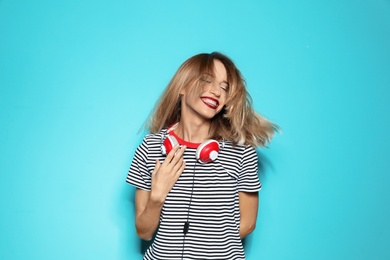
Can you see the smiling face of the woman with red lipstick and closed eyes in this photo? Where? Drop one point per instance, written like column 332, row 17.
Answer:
column 211, row 100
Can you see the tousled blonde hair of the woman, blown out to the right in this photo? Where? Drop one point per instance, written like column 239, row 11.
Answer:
column 237, row 122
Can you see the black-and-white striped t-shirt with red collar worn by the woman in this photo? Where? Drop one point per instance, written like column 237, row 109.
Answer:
column 205, row 196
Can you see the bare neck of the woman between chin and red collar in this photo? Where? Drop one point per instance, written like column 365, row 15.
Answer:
column 194, row 132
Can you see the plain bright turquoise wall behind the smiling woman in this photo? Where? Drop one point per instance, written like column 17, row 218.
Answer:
column 78, row 79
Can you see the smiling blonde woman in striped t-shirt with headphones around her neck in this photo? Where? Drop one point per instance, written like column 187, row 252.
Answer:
column 196, row 173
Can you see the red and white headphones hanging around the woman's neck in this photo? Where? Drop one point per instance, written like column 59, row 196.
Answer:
column 206, row 151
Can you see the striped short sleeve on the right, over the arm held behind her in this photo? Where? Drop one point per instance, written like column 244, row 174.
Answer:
column 248, row 179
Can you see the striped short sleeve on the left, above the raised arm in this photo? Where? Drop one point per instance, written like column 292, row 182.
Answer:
column 139, row 175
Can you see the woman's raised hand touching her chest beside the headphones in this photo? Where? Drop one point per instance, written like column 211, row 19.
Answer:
column 165, row 174
